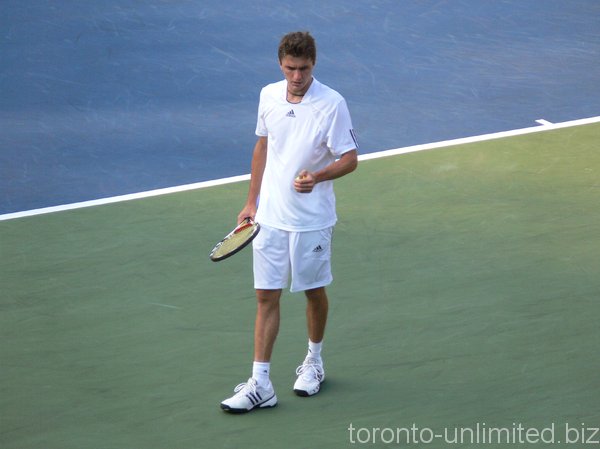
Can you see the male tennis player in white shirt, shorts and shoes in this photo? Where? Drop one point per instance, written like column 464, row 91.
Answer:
column 305, row 140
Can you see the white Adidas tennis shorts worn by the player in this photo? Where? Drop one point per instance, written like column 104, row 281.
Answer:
column 304, row 255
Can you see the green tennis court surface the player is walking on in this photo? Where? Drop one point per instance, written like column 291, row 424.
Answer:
column 467, row 293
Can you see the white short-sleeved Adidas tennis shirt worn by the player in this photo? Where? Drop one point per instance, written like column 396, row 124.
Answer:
column 307, row 135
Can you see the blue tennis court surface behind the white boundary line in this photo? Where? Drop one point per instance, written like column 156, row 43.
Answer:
column 108, row 98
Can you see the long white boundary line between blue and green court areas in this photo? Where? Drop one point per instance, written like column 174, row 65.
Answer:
column 545, row 126
